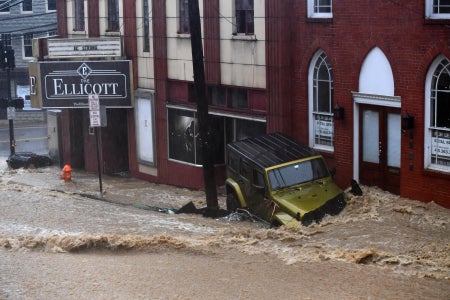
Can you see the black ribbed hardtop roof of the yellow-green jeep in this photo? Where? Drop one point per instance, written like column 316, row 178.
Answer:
column 271, row 149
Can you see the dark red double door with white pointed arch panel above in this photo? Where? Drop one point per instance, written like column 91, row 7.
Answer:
column 377, row 125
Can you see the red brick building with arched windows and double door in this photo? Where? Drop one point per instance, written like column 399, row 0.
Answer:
column 384, row 59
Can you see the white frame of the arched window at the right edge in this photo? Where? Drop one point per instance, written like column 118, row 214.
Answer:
column 427, row 126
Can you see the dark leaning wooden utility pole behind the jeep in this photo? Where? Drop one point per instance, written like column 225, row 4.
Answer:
column 202, row 107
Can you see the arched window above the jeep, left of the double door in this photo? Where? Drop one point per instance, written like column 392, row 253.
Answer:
column 321, row 128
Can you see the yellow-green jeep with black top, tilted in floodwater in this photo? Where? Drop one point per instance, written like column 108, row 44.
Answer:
column 280, row 180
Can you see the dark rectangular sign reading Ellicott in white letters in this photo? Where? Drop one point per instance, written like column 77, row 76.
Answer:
column 68, row 84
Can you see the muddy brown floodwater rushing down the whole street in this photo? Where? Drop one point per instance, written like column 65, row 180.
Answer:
column 56, row 242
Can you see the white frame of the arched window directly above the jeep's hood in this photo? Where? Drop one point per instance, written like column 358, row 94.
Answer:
column 312, row 113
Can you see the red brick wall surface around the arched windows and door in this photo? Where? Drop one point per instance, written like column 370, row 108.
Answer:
column 409, row 42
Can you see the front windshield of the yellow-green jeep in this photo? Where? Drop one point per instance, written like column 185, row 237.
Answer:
column 297, row 173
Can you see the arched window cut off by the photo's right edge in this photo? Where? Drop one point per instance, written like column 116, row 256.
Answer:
column 437, row 116
